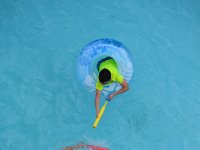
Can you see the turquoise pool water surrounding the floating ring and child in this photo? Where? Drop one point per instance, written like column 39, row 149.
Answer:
column 43, row 106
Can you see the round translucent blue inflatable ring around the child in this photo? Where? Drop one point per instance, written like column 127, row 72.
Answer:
column 94, row 52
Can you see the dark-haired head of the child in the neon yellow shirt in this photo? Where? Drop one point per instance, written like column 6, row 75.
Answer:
column 104, row 76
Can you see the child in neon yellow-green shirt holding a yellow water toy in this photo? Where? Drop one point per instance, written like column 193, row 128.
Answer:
column 108, row 73
